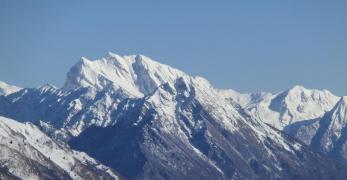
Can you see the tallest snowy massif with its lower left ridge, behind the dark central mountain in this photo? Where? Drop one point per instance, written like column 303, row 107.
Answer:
column 93, row 89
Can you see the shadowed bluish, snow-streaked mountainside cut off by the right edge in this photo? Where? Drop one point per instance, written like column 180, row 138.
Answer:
column 327, row 134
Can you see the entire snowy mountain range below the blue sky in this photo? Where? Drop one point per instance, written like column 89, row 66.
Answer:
column 129, row 117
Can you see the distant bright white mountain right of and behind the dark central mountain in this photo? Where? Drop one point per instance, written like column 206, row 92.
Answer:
column 285, row 108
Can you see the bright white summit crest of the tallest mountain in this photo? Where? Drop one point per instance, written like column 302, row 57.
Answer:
column 136, row 74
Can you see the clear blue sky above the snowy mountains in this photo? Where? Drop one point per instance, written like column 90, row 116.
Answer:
column 249, row 46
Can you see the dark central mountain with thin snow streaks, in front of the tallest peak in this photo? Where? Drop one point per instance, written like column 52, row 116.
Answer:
column 185, row 130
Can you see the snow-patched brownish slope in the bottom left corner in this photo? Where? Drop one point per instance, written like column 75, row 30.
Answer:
column 28, row 153
